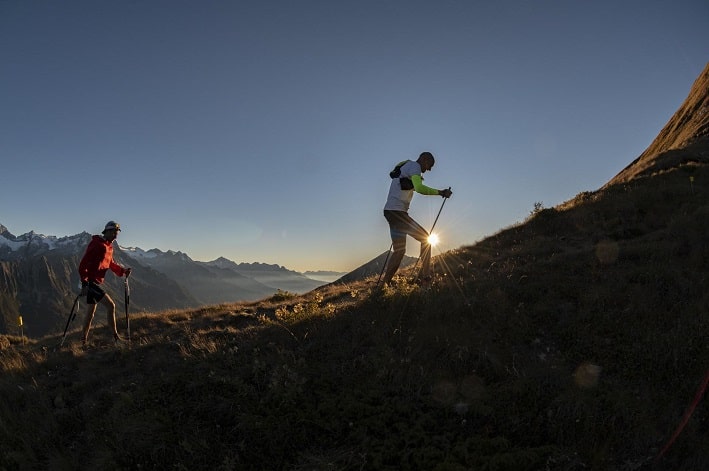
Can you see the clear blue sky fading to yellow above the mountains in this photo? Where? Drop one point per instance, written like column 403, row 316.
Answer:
column 265, row 130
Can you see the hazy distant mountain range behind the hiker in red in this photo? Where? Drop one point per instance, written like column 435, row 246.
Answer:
column 39, row 280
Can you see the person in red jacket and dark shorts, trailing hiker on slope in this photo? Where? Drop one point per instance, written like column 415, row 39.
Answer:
column 97, row 260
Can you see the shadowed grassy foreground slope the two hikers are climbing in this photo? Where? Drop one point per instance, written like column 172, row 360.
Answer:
column 573, row 341
